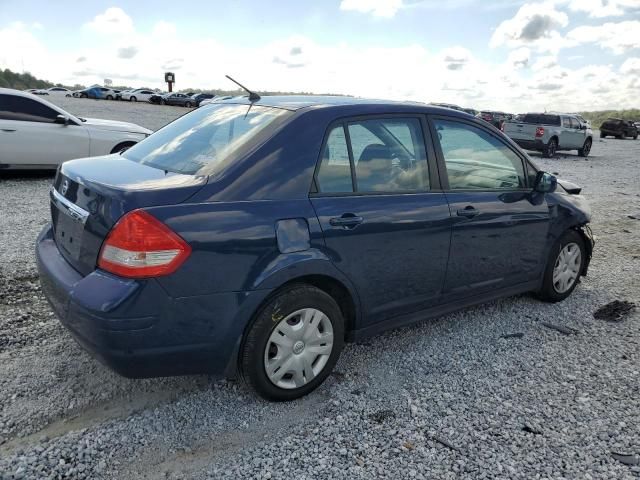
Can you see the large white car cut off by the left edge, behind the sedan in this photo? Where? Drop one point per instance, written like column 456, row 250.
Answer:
column 35, row 134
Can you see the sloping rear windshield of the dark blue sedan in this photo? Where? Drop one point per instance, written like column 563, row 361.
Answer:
column 207, row 137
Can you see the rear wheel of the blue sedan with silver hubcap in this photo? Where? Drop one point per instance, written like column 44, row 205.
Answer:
column 284, row 313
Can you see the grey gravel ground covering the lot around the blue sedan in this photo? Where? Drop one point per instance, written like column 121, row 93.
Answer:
column 448, row 398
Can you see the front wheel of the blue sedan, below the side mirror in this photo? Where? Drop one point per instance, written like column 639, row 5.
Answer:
column 552, row 289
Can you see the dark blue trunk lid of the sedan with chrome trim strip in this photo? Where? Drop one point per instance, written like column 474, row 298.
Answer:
column 90, row 195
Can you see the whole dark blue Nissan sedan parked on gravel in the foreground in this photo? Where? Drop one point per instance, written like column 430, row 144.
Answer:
column 258, row 235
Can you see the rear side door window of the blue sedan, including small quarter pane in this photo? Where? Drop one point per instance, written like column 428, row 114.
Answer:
column 383, row 156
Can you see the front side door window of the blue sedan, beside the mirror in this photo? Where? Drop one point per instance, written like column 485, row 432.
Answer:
column 476, row 160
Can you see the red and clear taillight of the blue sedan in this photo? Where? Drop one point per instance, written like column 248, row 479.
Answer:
column 141, row 246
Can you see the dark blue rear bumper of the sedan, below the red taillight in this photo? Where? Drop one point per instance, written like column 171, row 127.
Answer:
column 136, row 328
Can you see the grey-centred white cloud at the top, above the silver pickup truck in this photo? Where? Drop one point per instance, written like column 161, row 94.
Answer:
column 533, row 25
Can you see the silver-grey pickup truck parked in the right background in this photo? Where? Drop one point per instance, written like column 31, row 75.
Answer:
column 550, row 132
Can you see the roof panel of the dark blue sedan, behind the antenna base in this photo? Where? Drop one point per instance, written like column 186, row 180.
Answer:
column 300, row 102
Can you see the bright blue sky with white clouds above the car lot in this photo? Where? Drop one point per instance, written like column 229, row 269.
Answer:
column 511, row 55
